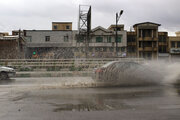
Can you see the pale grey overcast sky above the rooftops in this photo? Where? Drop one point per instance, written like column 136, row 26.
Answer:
column 39, row 14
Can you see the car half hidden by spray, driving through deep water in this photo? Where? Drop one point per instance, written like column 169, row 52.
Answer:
column 125, row 74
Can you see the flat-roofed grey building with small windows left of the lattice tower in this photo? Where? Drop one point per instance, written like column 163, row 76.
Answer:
column 49, row 44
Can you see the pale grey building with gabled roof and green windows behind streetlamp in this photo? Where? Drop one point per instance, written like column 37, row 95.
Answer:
column 102, row 43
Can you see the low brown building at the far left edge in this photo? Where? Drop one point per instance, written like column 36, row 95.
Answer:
column 12, row 47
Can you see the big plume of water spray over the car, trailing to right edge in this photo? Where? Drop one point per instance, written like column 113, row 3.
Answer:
column 148, row 73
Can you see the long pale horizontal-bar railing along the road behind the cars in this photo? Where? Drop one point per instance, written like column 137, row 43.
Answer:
column 59, row 64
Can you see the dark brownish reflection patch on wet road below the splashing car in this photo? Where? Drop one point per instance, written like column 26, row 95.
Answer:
column 104, row 99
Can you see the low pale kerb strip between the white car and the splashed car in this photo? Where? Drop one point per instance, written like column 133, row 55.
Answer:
column 53, row 73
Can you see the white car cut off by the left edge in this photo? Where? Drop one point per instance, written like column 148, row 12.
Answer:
column 6, row 73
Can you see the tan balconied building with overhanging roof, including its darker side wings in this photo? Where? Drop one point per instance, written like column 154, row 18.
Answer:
column 146, row 41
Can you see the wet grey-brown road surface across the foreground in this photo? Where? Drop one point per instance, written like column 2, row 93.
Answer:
column 77, row 99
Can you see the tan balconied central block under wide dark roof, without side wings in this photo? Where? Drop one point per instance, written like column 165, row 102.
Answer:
column 147, row 40
